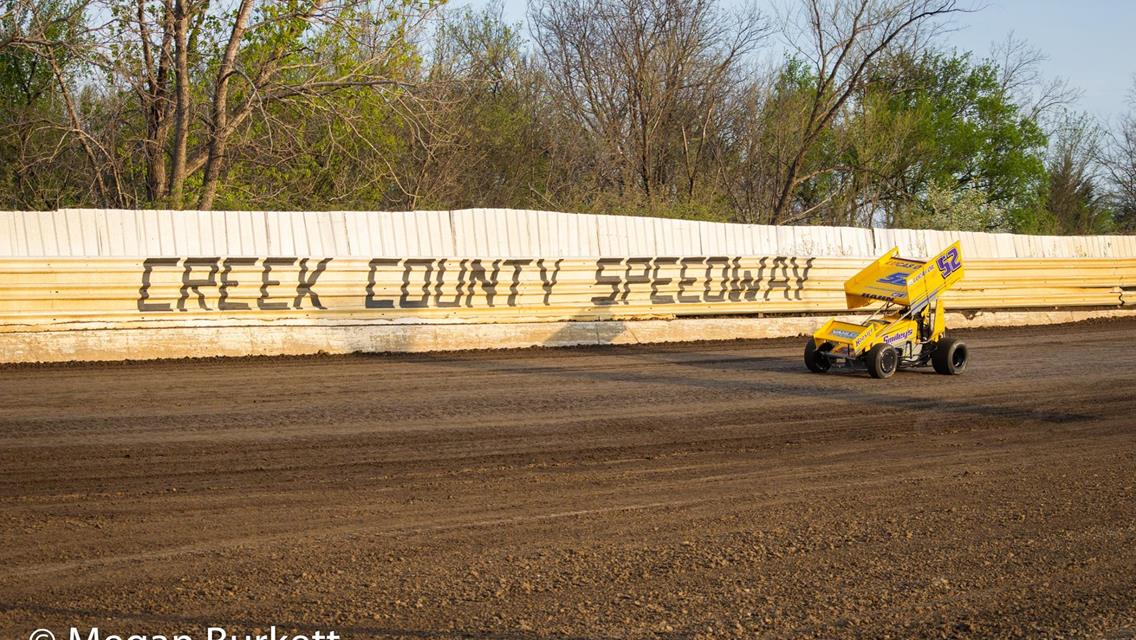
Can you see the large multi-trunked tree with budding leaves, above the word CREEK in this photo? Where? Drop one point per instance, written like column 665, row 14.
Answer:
column 205, row 77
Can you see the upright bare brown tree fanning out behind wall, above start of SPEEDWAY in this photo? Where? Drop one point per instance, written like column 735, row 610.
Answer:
column 642, row 84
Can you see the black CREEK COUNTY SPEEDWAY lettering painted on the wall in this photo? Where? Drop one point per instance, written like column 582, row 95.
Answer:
column 715, row 279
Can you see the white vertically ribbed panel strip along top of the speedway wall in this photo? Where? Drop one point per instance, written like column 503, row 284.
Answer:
column 488, row 234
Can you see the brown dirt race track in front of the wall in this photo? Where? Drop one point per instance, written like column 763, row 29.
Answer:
column 675, row 492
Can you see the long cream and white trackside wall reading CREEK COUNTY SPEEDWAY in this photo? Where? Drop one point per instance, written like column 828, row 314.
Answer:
column 80, row 285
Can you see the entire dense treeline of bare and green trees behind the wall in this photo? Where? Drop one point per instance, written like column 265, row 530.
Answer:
column 821, row 112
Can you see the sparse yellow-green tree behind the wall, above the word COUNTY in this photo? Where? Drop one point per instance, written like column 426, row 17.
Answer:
column 480, row 138
